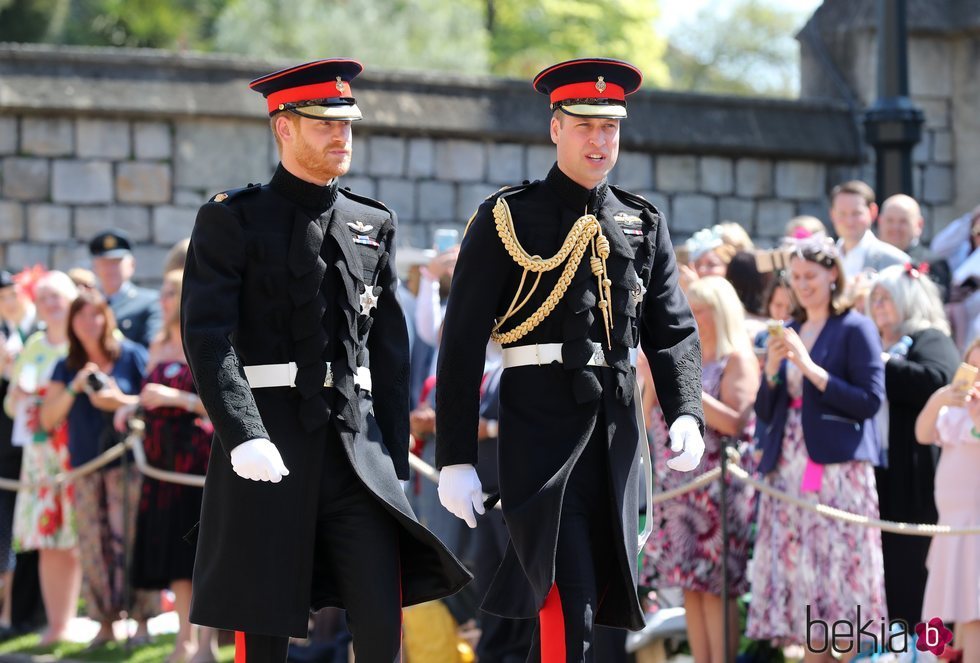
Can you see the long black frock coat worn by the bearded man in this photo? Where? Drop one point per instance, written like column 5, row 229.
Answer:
column 274, row 274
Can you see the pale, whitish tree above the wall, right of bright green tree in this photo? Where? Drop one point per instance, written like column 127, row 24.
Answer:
column 748, row 49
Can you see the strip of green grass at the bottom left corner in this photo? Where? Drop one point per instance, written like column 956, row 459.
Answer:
column 156, row 652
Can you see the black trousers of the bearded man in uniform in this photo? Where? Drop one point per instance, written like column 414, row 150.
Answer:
column 356, row 548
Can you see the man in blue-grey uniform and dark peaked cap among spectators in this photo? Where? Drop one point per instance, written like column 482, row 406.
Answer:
column 137, row 310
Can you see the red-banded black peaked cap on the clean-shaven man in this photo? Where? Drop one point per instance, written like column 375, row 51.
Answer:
column 589, row 87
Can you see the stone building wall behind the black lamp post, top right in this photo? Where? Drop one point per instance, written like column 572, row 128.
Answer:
column 839, row 60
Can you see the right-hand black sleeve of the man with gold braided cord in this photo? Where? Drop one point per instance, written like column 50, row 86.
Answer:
column 668, row 334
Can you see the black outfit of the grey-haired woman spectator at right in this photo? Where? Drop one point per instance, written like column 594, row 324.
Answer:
column 907, row 485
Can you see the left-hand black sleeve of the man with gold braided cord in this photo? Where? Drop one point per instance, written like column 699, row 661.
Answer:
column 478, row 281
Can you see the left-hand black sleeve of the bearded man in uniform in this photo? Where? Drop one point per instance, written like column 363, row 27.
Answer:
column 209, row 318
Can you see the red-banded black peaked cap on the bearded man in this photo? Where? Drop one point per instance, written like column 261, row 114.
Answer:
column 319, row 90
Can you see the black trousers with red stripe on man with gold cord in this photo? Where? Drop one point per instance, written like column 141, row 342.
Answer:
column 566, row 625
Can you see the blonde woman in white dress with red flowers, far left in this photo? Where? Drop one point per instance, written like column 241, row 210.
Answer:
column 44, row 518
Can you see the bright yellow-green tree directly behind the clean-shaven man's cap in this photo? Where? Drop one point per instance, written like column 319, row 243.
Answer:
column 526, row 37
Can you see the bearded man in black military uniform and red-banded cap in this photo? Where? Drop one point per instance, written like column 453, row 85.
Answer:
column 283, row 286
